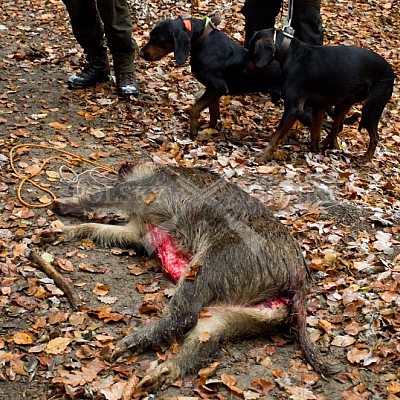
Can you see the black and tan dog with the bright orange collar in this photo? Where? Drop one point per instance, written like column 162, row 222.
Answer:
column 216, row 61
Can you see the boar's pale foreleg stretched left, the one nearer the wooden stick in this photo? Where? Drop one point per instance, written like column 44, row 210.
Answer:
column 105, row 235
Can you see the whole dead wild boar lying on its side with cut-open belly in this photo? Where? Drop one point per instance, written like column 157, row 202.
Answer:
column 226, row 250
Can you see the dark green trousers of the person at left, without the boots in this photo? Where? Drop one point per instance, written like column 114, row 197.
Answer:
column 93, row 21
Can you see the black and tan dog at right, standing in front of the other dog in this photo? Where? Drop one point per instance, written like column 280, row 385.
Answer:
column 324, row 76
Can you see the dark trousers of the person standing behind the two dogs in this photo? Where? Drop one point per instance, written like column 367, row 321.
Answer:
column 306, row 20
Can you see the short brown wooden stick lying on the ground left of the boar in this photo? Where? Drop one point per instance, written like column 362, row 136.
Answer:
column 58, row 278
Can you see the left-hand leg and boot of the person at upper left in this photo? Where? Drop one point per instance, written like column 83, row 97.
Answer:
column 89, row 33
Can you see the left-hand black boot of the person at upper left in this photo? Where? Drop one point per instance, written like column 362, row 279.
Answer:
column 96, row 71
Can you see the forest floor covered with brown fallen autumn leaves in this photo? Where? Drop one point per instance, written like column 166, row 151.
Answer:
column 345, row 215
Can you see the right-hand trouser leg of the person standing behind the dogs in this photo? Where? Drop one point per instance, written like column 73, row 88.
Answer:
column 307, row 21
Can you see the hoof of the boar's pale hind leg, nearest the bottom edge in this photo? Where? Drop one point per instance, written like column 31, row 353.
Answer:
column 163, row 375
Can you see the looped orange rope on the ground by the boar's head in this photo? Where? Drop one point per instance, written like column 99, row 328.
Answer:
column 28, row 178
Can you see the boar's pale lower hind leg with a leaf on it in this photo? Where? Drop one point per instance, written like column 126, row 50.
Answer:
column 222, row 323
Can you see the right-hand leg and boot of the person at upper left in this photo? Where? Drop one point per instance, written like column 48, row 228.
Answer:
column 117, row 22
